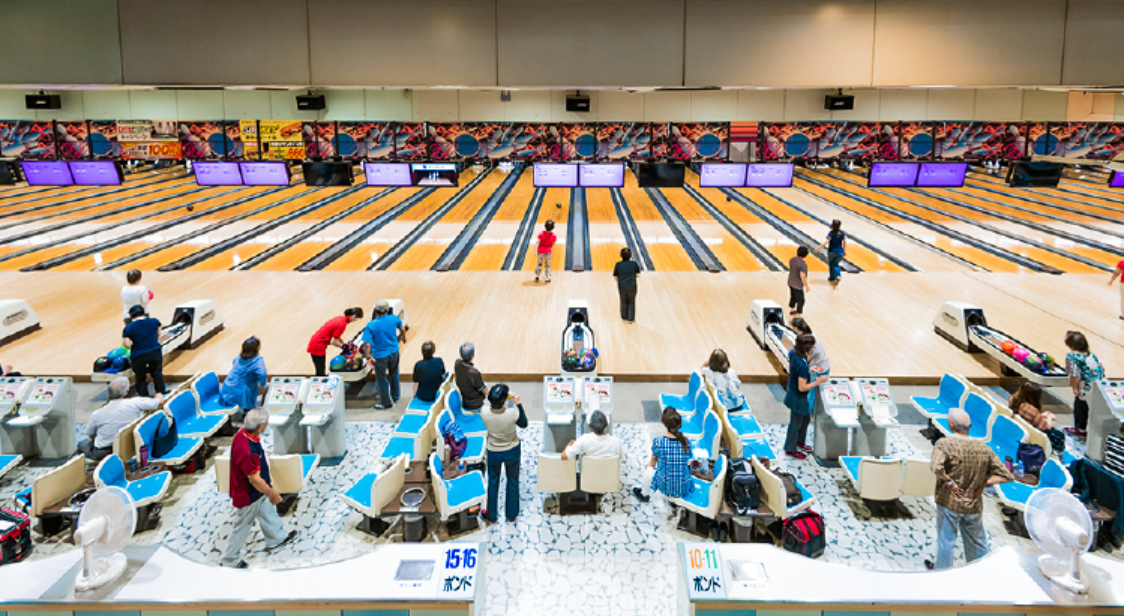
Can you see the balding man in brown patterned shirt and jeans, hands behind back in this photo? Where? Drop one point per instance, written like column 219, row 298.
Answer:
column 964, row 468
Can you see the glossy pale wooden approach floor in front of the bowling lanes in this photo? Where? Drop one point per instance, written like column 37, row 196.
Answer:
column 874, row 324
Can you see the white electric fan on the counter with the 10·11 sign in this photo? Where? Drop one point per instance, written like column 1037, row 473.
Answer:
column 1062, row 527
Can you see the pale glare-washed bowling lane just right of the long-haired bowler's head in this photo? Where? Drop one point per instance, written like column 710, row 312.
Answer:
column 920, row 252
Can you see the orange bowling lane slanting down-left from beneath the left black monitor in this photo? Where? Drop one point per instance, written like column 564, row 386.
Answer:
column 252, row 247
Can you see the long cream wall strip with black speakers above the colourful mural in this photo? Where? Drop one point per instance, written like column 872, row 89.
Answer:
column 457, row 105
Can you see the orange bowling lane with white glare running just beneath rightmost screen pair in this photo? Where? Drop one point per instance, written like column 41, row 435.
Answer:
column 1016, row 247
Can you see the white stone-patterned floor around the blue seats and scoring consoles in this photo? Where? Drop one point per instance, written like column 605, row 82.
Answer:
column 621, row 561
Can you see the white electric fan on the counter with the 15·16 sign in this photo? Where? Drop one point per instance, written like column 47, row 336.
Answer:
column 107, row 522
